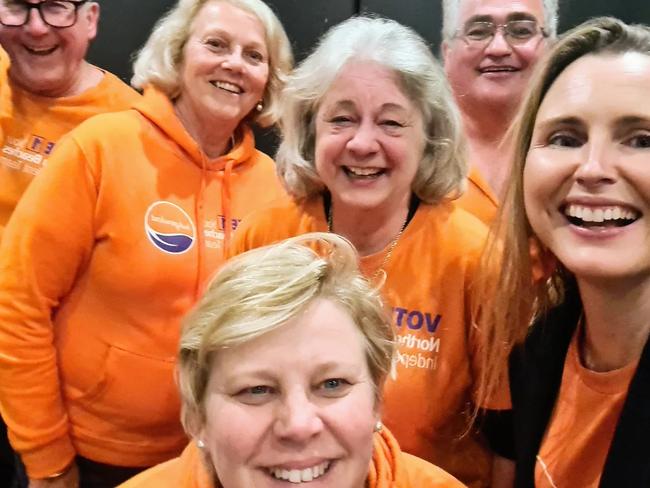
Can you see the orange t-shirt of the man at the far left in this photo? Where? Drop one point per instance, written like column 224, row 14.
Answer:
column 36, row 125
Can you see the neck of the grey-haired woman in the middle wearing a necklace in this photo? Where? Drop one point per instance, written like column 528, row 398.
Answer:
column 369, row 230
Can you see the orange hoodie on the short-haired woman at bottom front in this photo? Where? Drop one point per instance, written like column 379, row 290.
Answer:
column 389, row 468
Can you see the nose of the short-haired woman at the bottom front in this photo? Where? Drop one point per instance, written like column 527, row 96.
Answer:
column 297, row 418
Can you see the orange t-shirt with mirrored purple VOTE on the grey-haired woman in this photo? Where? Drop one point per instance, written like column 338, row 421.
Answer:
column 429, row 277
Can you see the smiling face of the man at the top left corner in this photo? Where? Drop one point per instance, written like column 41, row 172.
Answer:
column 48, row 60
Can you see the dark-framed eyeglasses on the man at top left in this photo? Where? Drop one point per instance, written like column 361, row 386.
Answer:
column 55, row 13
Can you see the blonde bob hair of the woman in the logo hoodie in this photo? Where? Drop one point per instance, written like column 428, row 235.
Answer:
column 159, row 61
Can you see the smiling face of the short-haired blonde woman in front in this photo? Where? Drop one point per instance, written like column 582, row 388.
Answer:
column 295, row 404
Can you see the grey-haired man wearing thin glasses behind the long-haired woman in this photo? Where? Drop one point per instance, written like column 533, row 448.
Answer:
column 489, row 50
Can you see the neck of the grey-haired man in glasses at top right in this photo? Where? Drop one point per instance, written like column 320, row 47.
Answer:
column 489, row 151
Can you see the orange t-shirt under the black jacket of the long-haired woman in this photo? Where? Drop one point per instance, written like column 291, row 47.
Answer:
column 582, row 426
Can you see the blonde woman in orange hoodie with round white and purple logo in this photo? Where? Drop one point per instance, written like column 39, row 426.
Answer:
column 114, row 242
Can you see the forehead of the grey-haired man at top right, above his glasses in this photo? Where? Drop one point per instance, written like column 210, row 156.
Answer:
column 500, row 11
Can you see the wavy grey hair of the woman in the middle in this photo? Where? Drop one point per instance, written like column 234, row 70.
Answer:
column 442, row 168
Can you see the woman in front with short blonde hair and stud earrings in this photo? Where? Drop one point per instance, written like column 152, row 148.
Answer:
column 281, row 370
